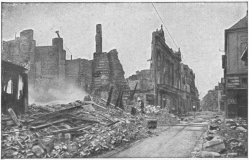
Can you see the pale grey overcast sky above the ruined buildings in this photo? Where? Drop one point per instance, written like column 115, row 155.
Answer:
column 197, row 28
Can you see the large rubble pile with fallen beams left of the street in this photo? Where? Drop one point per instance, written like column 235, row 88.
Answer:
column 74, row 130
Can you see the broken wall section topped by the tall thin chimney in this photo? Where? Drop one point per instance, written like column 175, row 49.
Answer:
column 107, row 71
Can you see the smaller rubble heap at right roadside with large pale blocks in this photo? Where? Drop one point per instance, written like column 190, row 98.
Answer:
column 227, row 139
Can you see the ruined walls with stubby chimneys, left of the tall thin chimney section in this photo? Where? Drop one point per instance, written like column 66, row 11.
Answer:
column 46, row 64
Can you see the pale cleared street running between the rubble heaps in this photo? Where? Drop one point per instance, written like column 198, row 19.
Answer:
column 176, row 141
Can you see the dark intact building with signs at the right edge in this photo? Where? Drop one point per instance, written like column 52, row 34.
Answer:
column 235, row 70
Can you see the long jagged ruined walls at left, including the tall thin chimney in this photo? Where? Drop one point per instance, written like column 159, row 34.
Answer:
column 48, row 65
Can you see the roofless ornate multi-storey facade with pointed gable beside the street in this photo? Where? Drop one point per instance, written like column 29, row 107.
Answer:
column 169, row 83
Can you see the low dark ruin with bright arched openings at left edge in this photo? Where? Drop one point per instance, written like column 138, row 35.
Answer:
column 14, row 88
